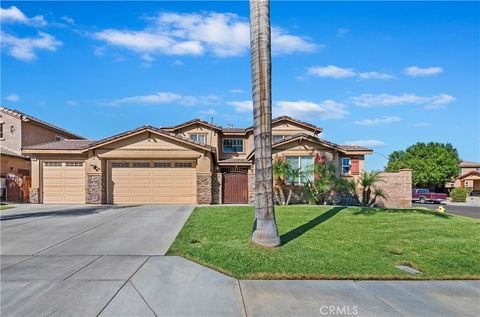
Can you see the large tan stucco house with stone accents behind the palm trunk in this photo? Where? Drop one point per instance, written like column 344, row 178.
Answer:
column 193, row 162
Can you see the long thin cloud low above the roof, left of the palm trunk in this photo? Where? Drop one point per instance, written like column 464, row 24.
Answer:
column 165, row 98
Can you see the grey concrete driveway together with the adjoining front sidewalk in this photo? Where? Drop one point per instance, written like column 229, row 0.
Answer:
column 108, row 261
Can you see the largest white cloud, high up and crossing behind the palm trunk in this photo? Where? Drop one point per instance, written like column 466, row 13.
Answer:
column 221, row 34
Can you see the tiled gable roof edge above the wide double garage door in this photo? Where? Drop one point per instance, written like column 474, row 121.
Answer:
column 142, row 129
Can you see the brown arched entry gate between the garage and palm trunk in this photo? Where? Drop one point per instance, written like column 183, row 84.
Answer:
column 235, row 186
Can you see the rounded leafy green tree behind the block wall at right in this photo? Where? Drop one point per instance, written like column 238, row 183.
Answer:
column 432, row 163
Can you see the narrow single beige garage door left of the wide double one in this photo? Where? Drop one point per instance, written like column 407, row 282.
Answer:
column 63, row 182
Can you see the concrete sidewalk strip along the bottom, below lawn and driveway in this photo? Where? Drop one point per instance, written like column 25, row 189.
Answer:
column 173, row 286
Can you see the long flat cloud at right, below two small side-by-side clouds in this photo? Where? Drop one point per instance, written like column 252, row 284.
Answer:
column 385, row 100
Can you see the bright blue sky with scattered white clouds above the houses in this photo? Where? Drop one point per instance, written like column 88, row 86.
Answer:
column 384, row 75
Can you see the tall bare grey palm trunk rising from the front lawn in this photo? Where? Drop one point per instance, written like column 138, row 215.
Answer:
column 264, row 227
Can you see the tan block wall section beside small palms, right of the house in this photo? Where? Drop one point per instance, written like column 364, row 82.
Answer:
column 398, row 188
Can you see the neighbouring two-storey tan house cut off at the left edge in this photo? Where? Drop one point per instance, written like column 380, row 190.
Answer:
column 18, row 130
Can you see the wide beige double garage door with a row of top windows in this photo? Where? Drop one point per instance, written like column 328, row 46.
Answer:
column 153, row 182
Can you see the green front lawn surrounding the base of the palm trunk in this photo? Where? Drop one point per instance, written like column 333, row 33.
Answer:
column 334, row 243
